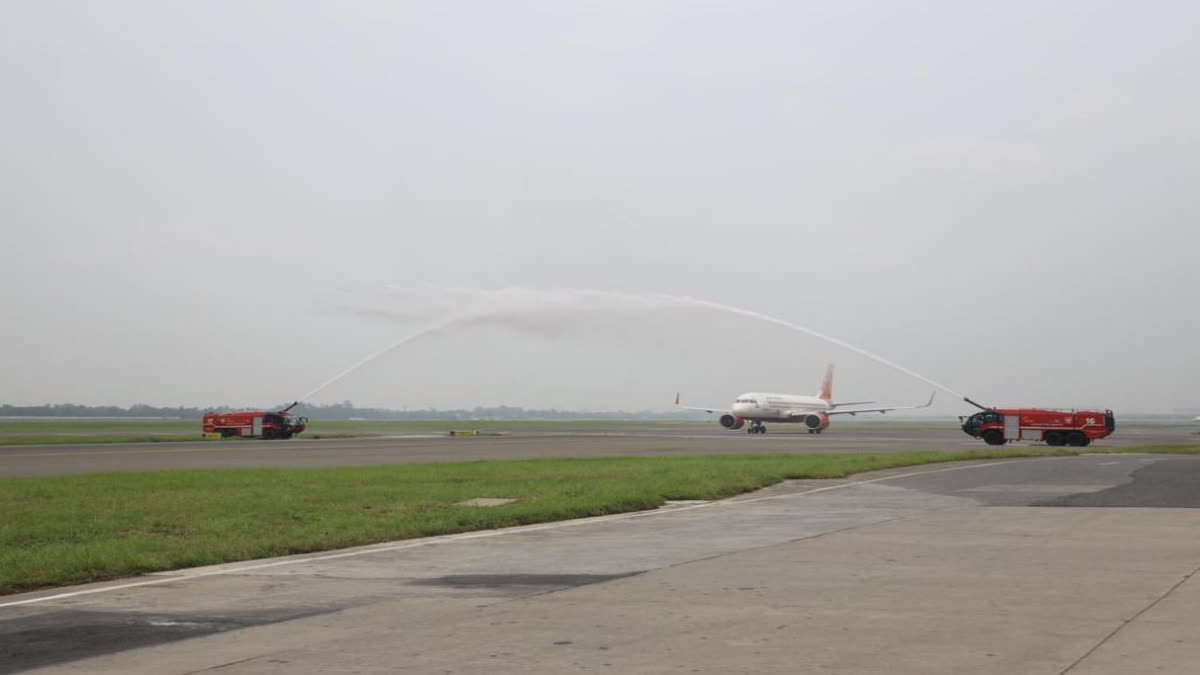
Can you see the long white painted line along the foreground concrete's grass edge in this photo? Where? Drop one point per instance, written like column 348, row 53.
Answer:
column 179, row 576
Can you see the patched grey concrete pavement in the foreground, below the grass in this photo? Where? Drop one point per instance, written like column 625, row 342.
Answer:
column 923, row 570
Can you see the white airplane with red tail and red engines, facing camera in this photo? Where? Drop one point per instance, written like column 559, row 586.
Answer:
column 813, row 411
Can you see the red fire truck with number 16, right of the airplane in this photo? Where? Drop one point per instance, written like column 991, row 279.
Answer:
column 1077, row 428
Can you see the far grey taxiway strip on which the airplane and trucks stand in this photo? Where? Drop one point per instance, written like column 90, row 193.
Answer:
column 52, row 461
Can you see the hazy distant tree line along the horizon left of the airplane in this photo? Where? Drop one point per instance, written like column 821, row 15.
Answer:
column 345, row 410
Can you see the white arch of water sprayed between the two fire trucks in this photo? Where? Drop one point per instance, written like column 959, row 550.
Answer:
column 524, row 301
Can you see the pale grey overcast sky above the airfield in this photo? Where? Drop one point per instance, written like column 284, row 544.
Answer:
column 232, row 202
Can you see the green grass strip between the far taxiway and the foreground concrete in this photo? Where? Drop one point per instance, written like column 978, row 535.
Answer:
column 79, row 529
